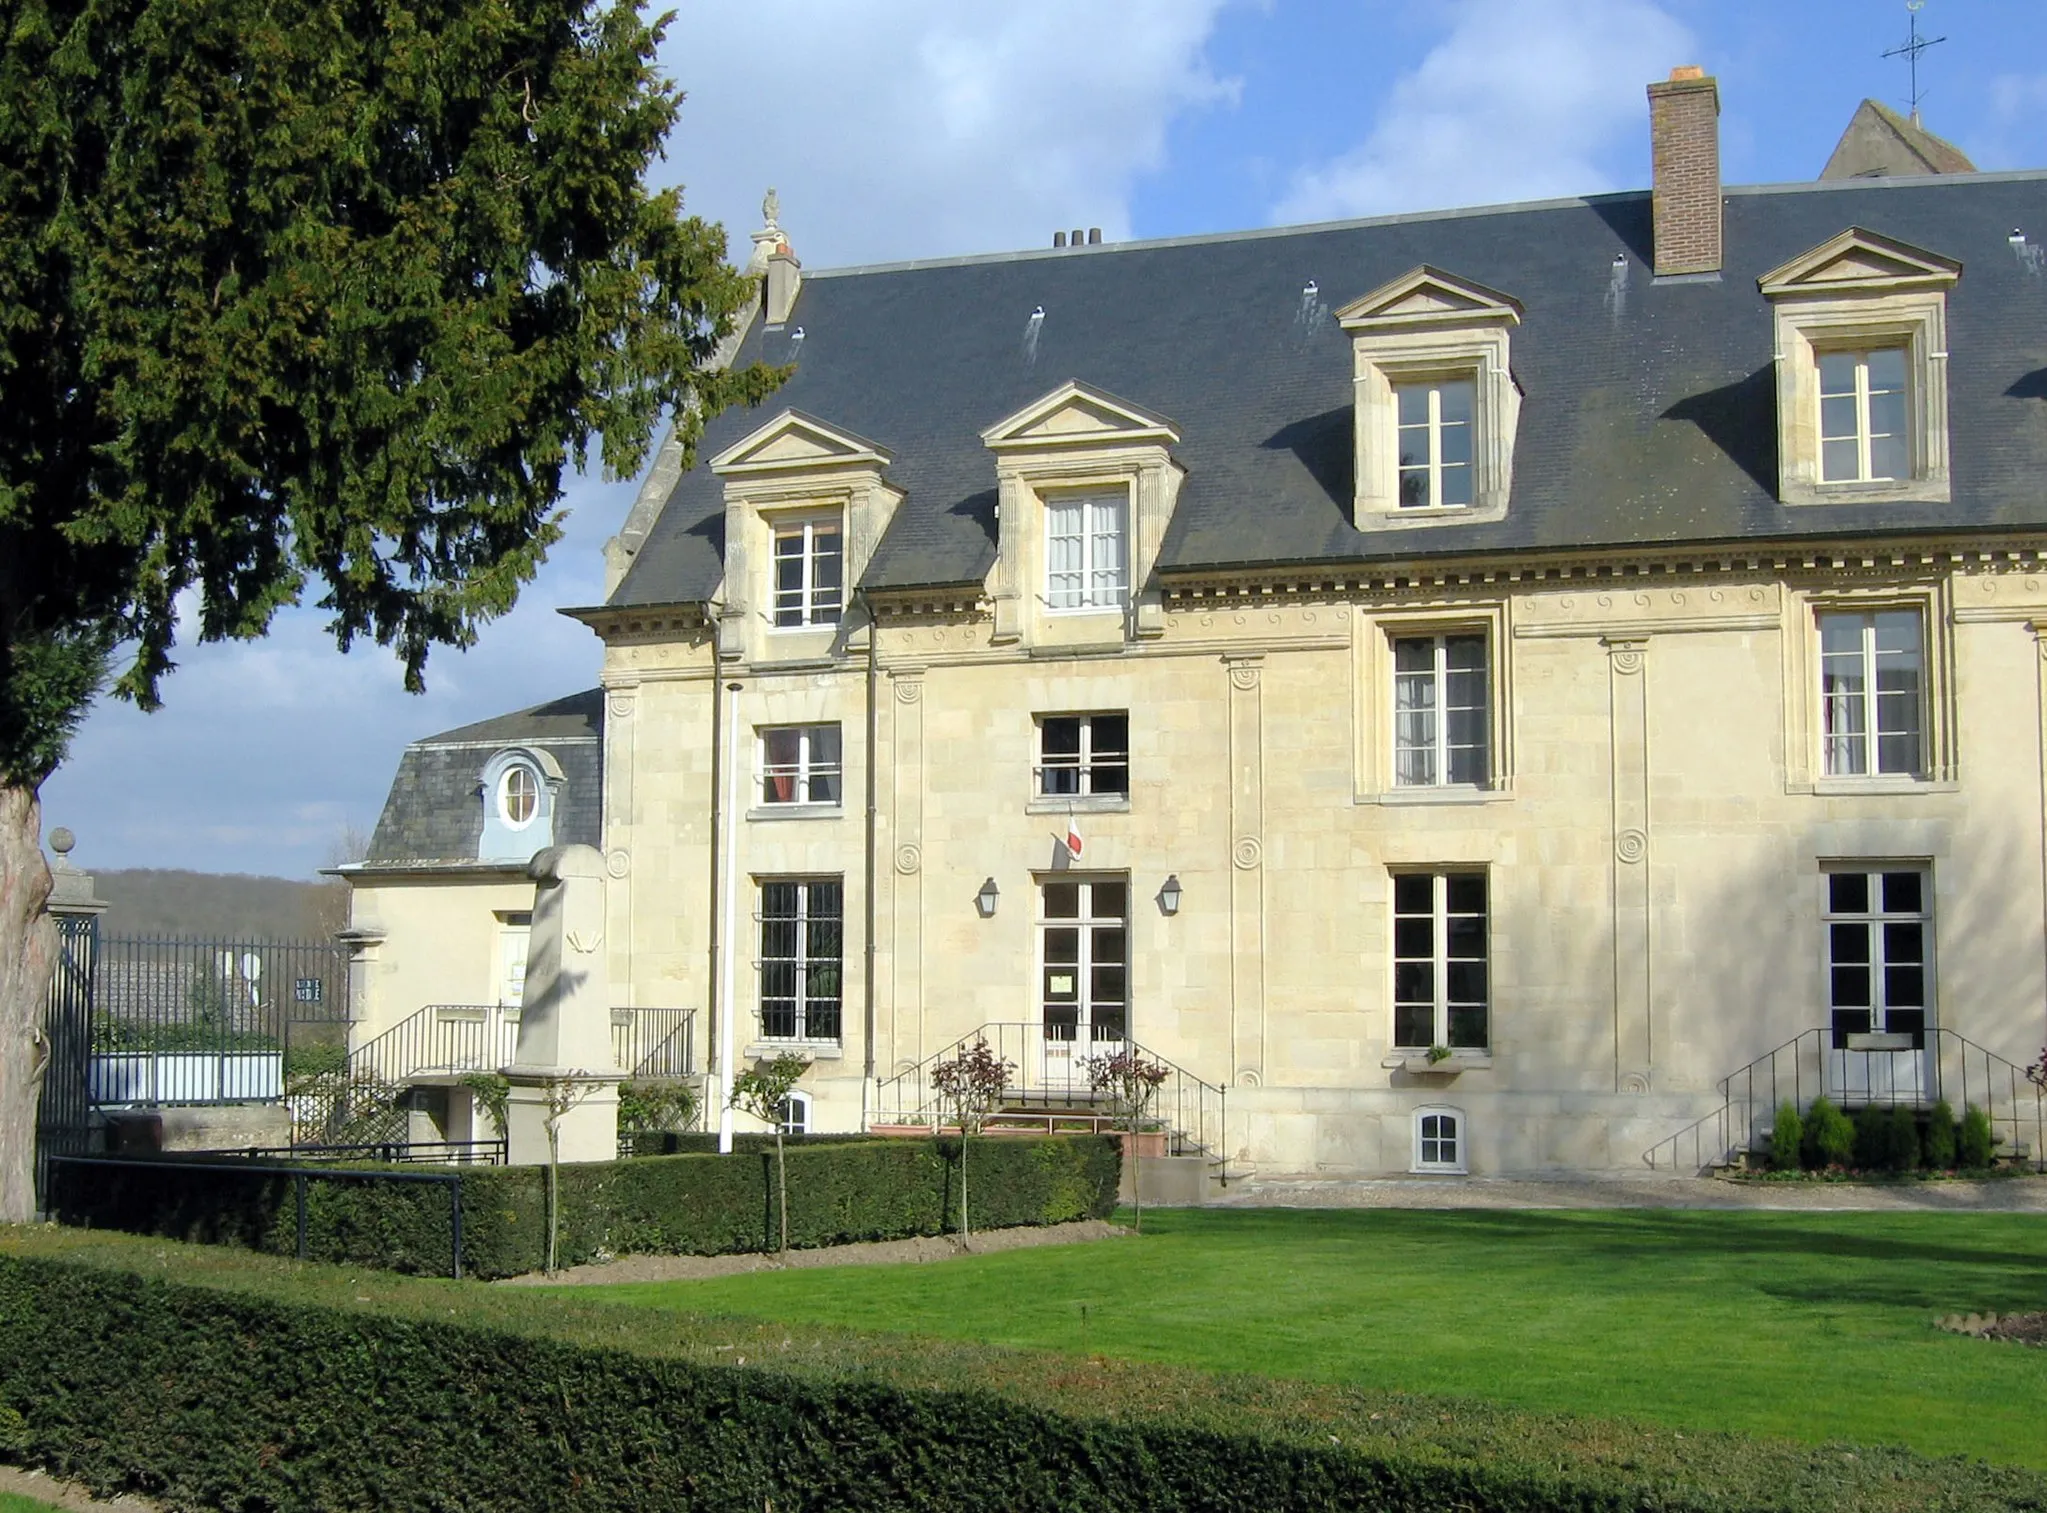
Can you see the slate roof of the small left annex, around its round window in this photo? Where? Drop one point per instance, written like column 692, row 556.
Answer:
column 435, row 814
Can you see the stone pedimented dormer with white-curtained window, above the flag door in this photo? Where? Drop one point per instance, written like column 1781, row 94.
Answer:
column 1088, row 488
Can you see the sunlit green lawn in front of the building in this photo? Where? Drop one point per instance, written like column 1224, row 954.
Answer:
column 1802, row 1326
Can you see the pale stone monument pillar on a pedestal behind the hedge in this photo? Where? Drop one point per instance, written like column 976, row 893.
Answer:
column 566, row 1021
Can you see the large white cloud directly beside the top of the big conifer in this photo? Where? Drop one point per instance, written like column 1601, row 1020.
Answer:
column 930, row 128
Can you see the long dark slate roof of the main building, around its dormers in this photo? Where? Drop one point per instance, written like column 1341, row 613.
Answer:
column 1649, row 413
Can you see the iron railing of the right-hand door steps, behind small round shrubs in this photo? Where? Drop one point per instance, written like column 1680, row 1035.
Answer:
column 1915, row 1072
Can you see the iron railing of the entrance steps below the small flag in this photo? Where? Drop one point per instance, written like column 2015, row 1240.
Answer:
column 1051, row 1090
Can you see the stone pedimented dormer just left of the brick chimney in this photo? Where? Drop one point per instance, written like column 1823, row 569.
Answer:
column 1434, row 400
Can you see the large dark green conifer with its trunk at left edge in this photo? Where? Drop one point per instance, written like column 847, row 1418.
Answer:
column 308, row 300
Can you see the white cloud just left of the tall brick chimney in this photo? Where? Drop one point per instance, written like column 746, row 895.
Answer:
column 1520, row 101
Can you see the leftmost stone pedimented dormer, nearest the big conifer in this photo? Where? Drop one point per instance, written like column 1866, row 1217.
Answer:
column 805, row 507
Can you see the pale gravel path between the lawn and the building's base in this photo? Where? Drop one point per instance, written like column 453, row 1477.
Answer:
column 1649, row 1191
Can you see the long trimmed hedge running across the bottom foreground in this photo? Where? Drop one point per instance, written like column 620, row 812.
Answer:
column 220, row 1379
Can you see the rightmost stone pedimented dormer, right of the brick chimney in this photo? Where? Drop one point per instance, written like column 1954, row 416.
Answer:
column 1862, row 372
